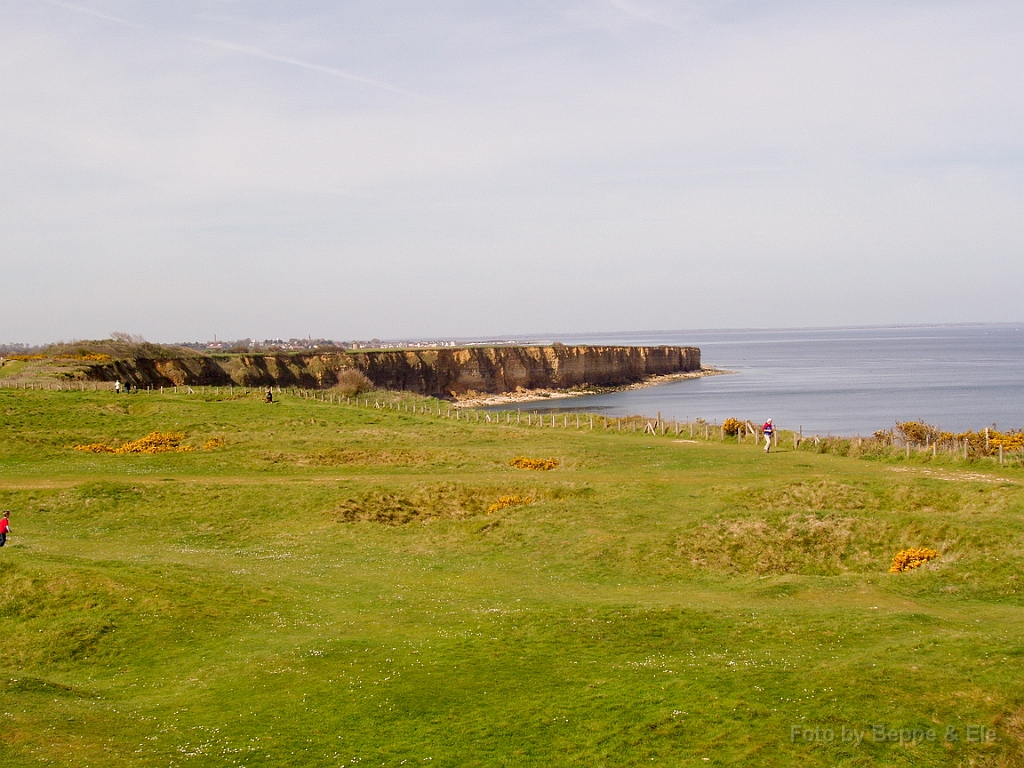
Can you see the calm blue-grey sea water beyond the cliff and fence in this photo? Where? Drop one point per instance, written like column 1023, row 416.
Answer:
column 845, row 381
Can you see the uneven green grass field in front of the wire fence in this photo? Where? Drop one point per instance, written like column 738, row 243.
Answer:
column 329, row 589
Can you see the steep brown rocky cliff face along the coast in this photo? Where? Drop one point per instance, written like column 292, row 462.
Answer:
column 435, row 372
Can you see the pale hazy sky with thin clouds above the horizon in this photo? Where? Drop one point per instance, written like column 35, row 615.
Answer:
column 452, row 169
